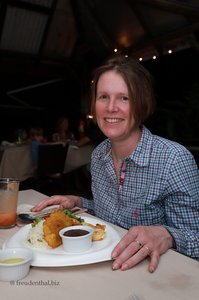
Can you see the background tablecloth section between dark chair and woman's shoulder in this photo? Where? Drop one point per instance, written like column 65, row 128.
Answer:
column 77, row 157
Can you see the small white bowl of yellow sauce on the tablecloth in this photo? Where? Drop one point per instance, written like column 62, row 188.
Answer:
column 14, row 263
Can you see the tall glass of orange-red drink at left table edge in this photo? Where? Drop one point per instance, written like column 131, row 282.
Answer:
column 9, row 189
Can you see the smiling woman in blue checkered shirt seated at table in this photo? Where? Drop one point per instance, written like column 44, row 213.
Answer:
column 142, row 182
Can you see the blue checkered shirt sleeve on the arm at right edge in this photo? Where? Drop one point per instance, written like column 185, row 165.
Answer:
column 182, row 204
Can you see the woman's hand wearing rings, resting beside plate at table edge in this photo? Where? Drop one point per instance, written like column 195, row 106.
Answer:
column 140, row 242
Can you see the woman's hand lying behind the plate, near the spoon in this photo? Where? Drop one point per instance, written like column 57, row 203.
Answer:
column 68, row 201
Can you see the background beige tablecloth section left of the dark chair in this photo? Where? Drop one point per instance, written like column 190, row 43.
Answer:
column 16, row 162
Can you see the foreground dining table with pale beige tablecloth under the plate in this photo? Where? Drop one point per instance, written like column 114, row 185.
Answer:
column 176, row 278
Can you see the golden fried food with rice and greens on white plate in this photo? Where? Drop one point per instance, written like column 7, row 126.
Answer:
column 44, row 232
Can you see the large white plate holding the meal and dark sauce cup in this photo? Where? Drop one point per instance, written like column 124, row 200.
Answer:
column 100, row 250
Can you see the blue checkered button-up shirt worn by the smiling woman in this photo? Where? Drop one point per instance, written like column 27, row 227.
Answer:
column 161, row 187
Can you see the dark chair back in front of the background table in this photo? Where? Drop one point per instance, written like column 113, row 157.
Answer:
column 51, row 162
